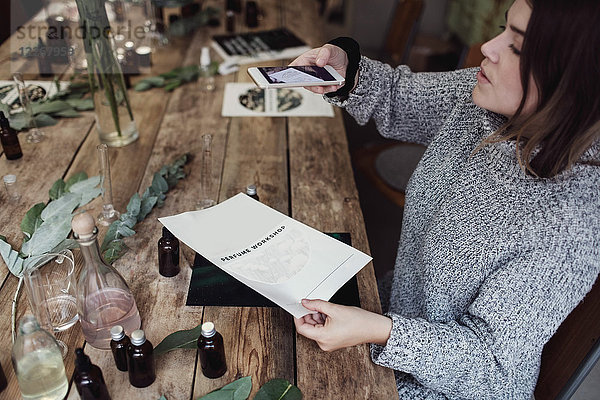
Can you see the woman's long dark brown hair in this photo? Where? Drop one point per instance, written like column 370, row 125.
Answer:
column 561, row 51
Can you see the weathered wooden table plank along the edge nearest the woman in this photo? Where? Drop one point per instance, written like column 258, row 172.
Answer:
column 324, row 196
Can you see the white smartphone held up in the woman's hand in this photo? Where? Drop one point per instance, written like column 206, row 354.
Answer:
column 297, row 76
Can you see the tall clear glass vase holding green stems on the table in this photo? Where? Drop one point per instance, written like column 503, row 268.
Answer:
column 114, row 118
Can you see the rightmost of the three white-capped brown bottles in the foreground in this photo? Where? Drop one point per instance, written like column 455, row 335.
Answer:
column 212, row 352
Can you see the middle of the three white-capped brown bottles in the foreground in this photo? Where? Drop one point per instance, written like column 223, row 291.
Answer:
column 140, row 360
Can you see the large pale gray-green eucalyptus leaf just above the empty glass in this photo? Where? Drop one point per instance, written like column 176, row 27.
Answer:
column 49, row 235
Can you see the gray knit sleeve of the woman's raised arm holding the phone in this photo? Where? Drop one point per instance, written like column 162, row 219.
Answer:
column 404, row 105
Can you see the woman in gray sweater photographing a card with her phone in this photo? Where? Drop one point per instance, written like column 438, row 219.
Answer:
column 501, row 230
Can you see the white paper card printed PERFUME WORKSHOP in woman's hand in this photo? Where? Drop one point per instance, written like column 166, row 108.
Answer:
column 279, row 257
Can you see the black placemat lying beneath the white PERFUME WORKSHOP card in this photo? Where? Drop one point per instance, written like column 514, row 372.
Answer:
column 211, row 286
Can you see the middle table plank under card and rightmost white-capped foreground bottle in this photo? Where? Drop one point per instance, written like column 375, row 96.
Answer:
column 258, row 340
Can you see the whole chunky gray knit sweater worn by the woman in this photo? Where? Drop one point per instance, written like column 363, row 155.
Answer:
column 490, row 260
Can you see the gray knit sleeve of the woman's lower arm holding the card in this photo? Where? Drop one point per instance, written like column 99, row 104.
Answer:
column 493, row 349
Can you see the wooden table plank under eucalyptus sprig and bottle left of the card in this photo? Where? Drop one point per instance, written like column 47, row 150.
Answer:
column 161, row 301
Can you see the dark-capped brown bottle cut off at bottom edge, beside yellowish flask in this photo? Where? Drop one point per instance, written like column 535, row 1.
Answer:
column 88, row 378
